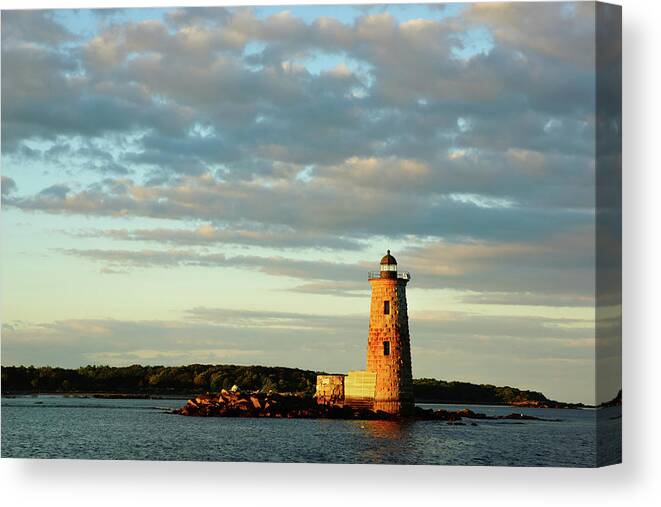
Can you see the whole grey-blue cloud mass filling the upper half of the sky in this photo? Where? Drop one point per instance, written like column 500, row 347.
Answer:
column 220, row 116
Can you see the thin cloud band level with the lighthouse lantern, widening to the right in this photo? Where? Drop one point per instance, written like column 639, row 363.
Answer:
column 553, row 271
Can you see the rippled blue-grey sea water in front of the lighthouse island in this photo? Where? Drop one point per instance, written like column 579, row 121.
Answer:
column 61, row 427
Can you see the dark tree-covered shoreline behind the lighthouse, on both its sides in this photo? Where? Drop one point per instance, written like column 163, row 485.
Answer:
column 200, row 378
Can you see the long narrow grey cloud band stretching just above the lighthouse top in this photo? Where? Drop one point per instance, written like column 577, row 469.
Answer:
column 313, row 207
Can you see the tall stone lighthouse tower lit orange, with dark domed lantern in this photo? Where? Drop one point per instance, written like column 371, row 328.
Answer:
column 388, row 344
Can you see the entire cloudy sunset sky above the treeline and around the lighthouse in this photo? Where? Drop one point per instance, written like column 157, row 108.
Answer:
column 212, row 185
